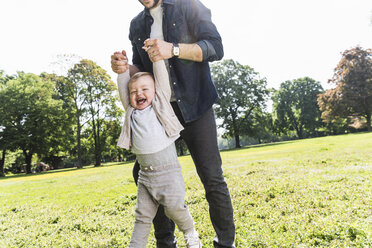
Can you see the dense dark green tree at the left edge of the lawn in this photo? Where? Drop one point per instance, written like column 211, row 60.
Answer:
column 30, row 114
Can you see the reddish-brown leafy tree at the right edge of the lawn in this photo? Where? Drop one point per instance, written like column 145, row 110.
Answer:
column 352, row 95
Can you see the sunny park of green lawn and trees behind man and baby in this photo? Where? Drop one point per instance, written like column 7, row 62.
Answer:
column 299, row 176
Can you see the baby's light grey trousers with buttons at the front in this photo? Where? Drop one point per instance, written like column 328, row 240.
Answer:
column 160, row 182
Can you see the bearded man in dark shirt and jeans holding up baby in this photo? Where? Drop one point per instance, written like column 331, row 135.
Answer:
column 181, row 33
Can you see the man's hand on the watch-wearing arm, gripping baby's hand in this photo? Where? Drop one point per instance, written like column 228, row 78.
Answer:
column 158, row 49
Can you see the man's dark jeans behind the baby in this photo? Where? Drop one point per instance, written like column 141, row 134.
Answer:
column 200, row 137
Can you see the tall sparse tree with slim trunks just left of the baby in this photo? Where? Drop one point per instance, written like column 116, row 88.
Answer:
column 92, row 91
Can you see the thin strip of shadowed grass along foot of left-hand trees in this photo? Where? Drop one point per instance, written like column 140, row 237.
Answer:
column 23, row 175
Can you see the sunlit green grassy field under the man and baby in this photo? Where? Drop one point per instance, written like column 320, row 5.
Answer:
column 306, row 193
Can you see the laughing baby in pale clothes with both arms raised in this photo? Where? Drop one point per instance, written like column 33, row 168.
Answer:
column 149, row 130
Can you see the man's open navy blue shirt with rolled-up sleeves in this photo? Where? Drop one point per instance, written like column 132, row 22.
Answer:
column 184, row 21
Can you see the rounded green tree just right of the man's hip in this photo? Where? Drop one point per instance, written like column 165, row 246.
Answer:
column 241, row 91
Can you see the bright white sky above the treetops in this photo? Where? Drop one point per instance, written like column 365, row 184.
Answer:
column 280, row 39
